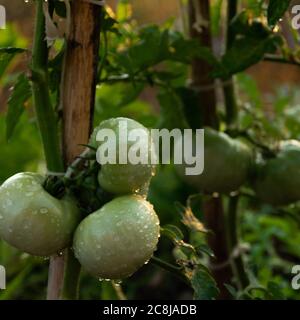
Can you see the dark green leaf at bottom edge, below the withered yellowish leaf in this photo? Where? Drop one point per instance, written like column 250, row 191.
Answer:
column 204, row 285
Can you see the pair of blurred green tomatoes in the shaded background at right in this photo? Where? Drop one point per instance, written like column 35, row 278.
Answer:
column 229, row 163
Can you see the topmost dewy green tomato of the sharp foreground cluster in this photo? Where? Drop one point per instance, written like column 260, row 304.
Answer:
column 124, row 178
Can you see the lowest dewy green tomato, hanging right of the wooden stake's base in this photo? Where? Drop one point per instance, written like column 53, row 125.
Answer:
column 116, row 240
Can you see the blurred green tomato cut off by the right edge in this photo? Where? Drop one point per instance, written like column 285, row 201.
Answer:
column 278, row 179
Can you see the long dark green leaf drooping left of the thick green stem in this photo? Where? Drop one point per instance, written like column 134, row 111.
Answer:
column 20, row 94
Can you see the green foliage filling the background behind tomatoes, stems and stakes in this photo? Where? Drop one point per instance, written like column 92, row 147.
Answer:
column 155, row 59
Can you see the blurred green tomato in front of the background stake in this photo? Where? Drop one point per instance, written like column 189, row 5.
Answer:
column 227, row 163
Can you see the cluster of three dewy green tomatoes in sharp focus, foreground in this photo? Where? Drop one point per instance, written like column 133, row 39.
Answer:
column 112, row 242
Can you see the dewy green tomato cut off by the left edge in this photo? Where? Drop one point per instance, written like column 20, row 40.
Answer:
column 31, row 219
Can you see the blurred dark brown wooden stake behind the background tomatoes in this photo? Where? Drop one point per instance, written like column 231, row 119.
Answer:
column 212, row 207
